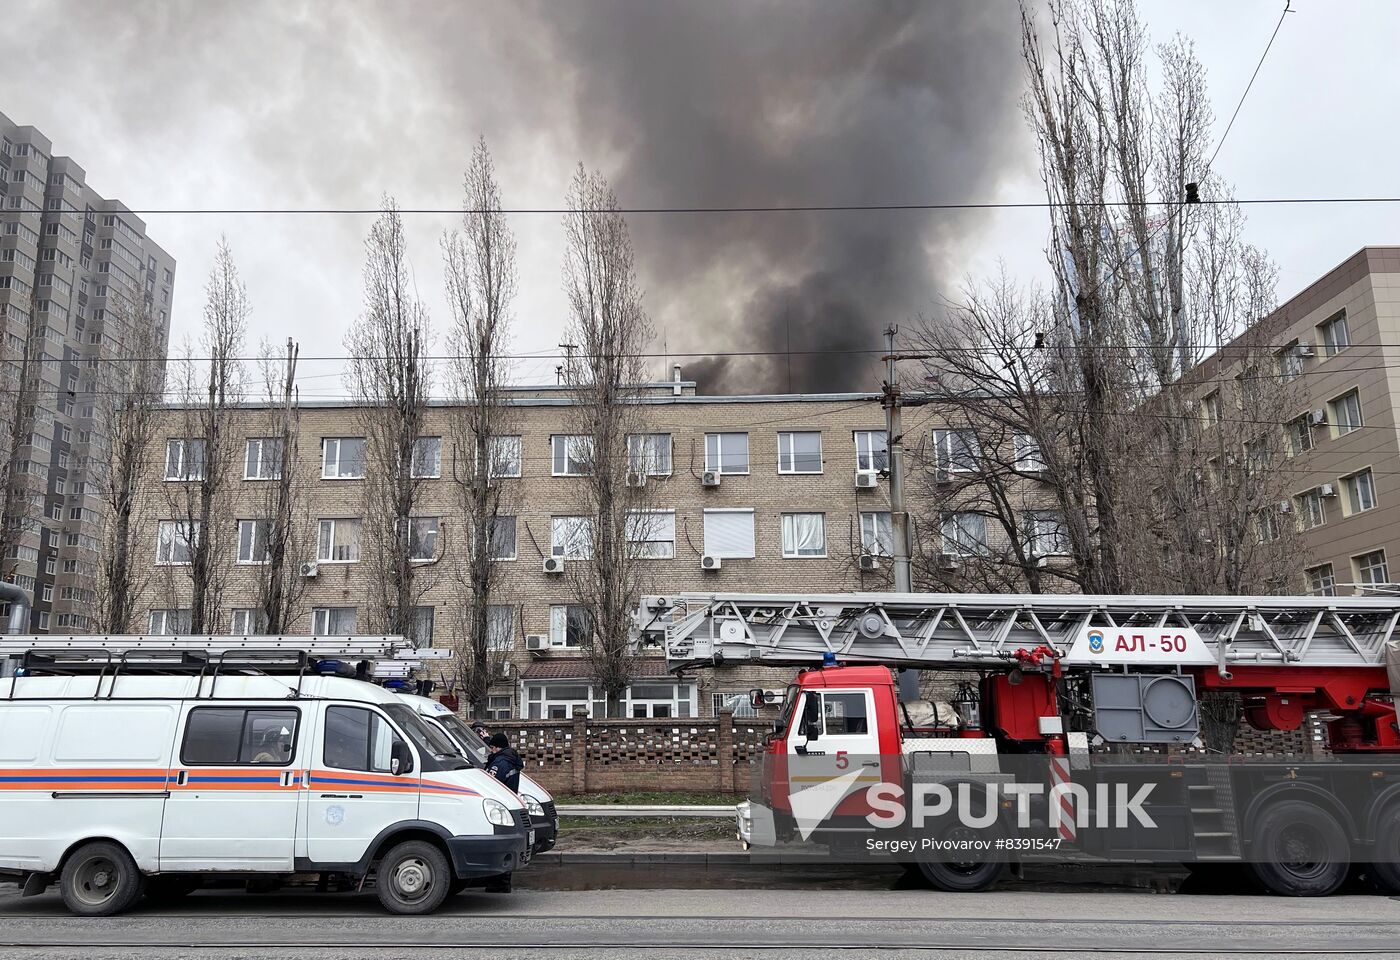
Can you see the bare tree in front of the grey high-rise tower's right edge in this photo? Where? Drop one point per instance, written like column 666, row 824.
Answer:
column 129, row 401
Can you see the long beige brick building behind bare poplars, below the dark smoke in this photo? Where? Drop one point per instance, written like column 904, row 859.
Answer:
column 780, row 493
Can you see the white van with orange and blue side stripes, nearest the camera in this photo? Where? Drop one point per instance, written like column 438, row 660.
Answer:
column 152, row 784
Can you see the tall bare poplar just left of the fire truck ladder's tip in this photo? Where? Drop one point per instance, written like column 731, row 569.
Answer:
column 610, row 330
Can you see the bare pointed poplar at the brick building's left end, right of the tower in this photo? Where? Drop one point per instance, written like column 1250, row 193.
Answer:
column 205, row 457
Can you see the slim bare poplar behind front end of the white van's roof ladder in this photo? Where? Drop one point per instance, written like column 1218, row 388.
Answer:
column 391, row 383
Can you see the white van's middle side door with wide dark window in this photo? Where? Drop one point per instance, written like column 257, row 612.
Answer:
column 233, row 800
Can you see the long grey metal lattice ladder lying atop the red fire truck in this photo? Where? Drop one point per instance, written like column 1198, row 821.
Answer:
column 968, row 630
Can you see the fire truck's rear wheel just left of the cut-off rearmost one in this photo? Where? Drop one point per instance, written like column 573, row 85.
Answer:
column 1300, row 850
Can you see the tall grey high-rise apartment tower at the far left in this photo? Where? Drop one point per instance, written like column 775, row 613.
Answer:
column 72, row 264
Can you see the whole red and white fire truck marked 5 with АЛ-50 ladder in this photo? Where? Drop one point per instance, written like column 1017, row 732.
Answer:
column 1097, row 696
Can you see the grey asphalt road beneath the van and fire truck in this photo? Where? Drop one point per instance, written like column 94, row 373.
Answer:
column 717, row 923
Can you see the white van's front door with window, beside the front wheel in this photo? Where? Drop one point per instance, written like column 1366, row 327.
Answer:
column 353, row 793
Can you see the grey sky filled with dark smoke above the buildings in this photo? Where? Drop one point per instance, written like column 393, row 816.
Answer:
column 334, row 103
